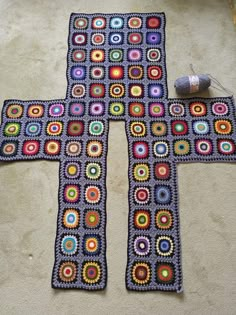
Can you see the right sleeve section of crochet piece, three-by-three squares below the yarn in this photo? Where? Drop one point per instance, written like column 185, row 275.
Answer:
column 202, row 129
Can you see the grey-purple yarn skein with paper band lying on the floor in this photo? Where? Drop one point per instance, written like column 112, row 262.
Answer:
column 183, row 84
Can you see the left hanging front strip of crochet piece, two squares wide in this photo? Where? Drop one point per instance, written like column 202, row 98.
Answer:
column 80, row 244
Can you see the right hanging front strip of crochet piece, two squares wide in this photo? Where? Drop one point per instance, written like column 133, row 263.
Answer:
column 154, row 249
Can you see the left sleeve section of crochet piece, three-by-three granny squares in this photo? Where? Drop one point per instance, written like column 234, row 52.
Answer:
column 32, row 130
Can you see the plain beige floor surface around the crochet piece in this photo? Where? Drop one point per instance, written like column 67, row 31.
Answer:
column 33, row 37
